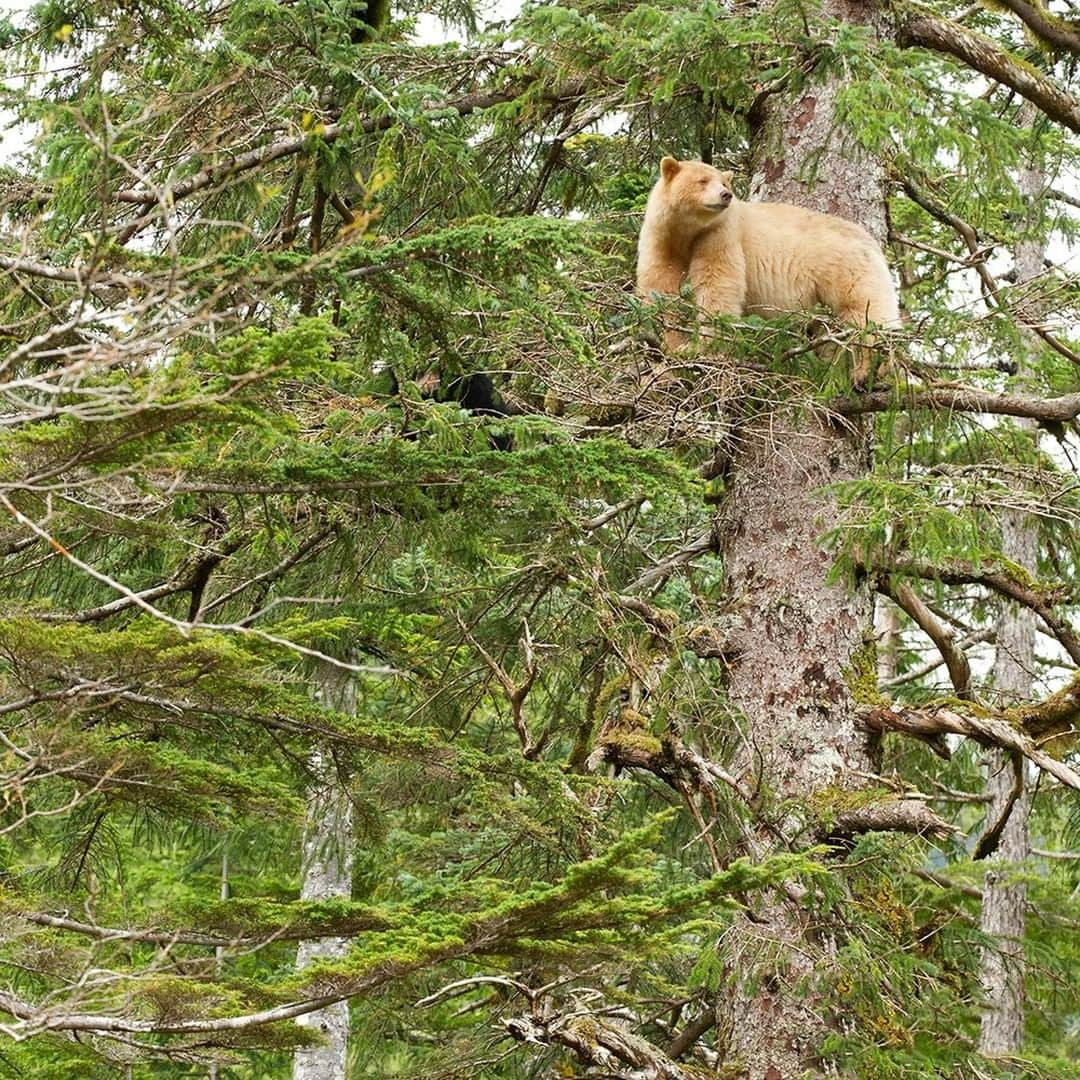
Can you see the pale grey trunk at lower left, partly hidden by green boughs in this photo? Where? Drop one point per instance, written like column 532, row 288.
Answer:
column 328, row 872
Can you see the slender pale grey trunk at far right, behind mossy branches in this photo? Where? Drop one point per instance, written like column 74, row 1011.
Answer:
column 1003, row 914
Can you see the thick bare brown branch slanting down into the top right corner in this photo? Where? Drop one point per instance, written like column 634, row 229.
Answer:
column 982, row 55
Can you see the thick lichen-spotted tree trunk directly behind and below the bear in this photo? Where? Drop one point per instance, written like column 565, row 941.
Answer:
column 801, row 637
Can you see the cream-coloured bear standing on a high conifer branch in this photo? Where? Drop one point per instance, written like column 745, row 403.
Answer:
column 758, row 259
